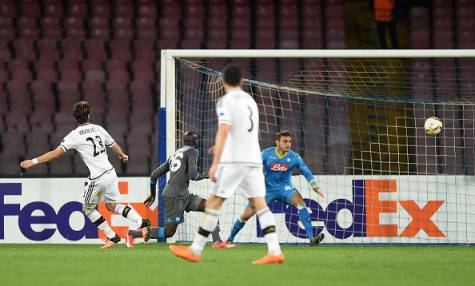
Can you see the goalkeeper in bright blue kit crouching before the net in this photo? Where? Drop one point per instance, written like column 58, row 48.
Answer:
column 278, row 163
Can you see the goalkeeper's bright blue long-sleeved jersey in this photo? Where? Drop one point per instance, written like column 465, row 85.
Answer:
column 278, row 169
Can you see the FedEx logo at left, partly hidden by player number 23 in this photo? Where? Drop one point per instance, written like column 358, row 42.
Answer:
column 60, row 219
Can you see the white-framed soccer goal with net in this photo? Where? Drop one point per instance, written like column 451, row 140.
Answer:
column 357, row 120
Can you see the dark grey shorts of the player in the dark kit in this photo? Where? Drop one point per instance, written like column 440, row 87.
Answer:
column 175, row 207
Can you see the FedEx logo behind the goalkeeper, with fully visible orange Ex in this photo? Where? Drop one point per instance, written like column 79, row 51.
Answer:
column 365, row 208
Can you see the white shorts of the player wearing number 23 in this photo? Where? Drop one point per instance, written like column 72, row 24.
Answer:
column 105, row 187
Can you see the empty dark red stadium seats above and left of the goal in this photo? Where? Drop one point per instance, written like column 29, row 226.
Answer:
column 54, row 53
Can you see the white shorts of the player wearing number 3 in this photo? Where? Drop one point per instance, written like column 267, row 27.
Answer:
column 231, row 177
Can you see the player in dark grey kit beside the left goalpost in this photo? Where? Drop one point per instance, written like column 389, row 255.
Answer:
column 177, row 199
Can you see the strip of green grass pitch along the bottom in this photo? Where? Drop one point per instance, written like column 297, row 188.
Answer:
column 153, row 264
